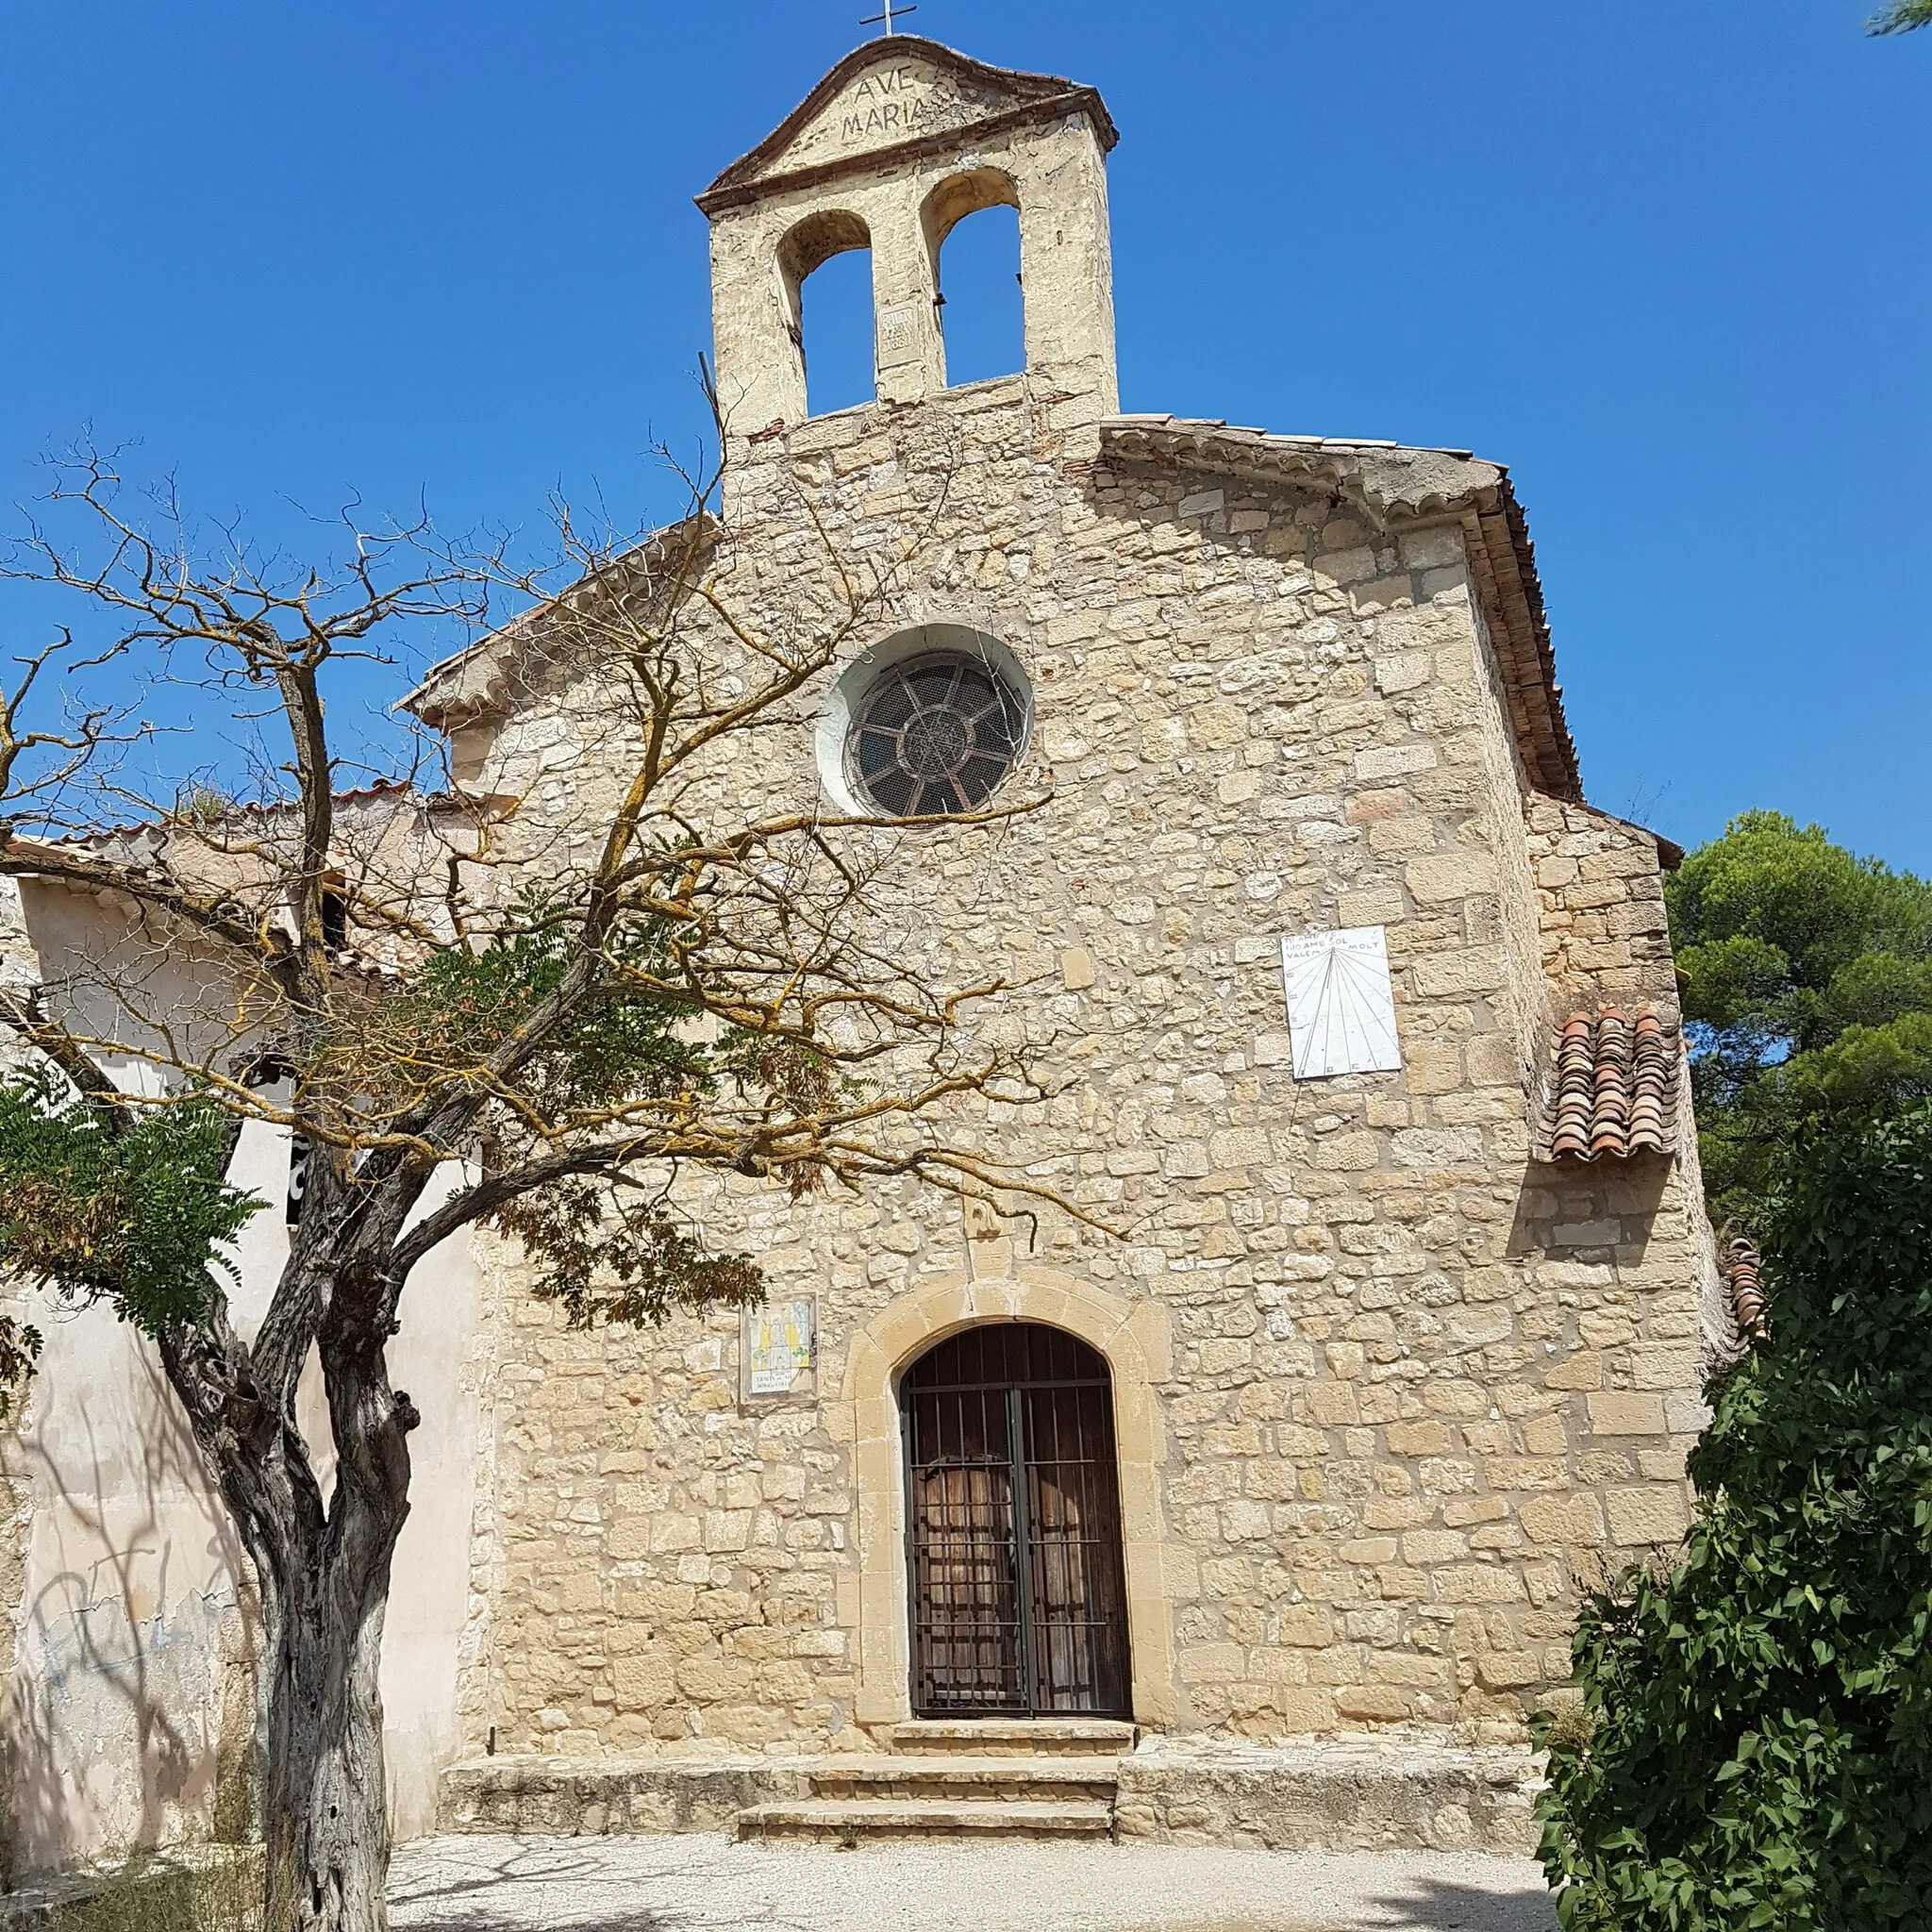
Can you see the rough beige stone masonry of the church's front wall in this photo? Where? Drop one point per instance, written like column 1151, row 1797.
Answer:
column 1419, row 1388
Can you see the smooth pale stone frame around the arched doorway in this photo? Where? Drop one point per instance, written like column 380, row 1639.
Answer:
column 1135, row 1340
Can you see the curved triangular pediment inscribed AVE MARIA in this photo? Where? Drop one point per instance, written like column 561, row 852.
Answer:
column 894, row 94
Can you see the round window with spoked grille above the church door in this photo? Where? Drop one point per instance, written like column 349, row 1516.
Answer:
column 936, row 735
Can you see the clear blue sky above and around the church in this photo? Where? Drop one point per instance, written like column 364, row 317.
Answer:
column 1672, row 264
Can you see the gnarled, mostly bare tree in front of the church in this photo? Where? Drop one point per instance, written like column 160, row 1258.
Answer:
column 550, row 1017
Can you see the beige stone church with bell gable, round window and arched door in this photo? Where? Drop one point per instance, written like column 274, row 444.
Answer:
column 1382, row 1365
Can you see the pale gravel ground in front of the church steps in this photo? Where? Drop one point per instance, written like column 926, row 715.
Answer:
column 669, row 1885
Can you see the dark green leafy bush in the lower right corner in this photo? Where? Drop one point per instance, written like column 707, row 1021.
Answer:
column 1757, row 1736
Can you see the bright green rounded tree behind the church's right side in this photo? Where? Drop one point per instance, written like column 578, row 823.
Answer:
column 1807, row 990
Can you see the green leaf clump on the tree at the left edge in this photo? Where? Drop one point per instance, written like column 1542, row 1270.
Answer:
column 134, row 1218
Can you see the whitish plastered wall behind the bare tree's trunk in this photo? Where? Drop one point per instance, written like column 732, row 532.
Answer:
column 134, row 1645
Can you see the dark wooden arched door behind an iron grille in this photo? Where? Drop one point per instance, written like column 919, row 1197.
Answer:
column 1013, row 1527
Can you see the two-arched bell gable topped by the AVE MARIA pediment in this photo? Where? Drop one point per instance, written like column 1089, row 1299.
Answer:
column 895, row 146
